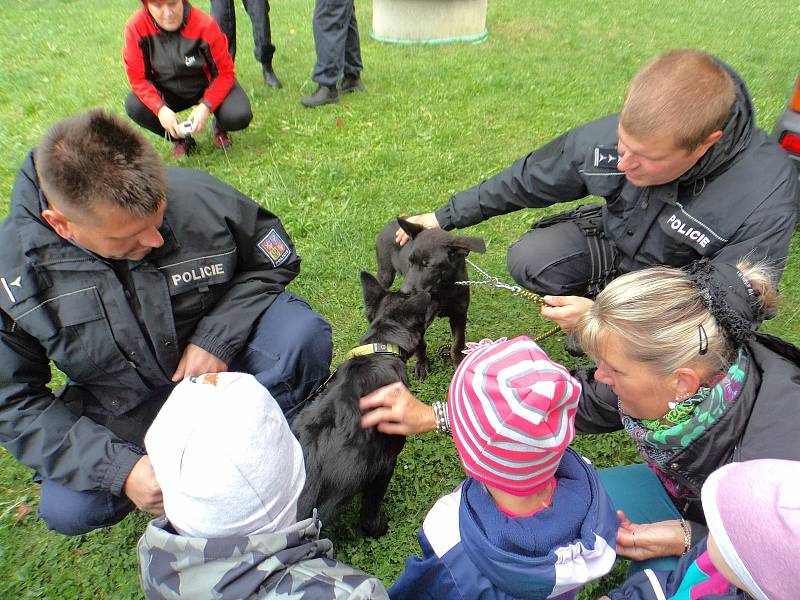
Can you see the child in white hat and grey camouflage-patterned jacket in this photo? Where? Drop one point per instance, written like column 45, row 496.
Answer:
column 231, row 471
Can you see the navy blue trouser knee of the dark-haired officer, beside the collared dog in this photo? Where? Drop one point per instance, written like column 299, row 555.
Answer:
column 289, row 351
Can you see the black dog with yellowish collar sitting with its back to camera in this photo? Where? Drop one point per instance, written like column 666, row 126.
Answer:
column 342, row 459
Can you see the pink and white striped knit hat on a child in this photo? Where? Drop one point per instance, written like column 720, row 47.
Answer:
column 512, row 412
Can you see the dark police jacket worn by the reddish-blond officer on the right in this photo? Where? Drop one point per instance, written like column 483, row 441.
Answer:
column 740, row 199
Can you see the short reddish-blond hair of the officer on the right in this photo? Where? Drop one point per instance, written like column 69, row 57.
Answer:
column 685, row 94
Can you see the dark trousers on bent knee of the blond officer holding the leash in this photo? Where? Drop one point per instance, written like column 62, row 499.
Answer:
column 555, row 260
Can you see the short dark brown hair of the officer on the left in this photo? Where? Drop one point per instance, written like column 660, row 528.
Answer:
column 96, row 158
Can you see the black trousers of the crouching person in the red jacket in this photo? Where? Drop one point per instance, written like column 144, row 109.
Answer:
column 232, row 115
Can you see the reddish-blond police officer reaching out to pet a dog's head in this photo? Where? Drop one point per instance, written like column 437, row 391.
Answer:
column 683, row 169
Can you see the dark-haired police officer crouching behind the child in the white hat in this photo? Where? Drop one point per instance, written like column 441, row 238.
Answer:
column 130, row 277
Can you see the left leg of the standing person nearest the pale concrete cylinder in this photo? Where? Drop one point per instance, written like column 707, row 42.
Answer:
column 331, row 23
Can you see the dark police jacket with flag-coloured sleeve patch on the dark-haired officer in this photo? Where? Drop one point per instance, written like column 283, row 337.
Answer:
column 117, row 329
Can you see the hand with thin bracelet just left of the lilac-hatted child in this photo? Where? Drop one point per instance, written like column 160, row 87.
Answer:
column 649, row 540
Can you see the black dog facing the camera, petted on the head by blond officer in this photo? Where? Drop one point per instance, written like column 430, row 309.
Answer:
column 432, row 261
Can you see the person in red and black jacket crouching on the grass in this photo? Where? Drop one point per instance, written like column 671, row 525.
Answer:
column 176, row 57
